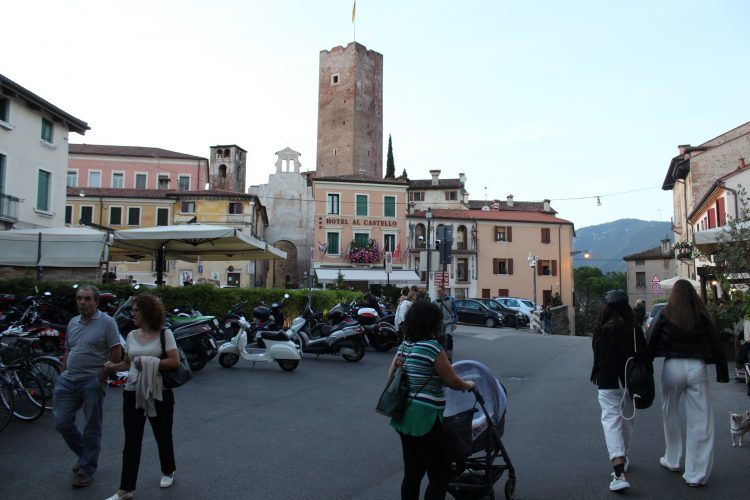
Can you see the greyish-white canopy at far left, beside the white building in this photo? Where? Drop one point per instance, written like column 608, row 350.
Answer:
column 53, row 247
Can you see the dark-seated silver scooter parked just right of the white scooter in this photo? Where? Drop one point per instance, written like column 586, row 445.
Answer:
column 346, row 338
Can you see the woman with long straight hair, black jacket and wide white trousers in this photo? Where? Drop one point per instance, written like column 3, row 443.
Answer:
column 686, row 337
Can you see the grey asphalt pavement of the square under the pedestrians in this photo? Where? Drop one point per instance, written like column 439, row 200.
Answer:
column 262, row 433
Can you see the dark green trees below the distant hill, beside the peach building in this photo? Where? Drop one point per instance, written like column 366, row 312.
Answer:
column 590, row 286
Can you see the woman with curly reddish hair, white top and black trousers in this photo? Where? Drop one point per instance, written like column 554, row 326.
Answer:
column 144, row 395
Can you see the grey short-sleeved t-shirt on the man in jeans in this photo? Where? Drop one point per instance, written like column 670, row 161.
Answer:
column 89, row 344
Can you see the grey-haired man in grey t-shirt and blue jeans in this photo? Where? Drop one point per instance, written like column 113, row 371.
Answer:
column 91, row 339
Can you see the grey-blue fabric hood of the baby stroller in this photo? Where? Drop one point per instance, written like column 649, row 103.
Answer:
column 489, row 387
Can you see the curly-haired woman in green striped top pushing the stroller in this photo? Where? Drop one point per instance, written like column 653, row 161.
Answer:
column 421, row 429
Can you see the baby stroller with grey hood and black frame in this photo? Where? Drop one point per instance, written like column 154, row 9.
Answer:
column 474, row 475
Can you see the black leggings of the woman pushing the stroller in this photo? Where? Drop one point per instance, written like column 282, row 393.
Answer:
column 425, row 454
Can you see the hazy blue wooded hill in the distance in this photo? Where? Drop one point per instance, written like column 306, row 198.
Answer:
column 611, row 241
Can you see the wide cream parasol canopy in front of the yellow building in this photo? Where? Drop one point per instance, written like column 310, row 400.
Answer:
column 189, row 242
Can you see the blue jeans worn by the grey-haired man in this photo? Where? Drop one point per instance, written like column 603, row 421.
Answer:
column 70, row 396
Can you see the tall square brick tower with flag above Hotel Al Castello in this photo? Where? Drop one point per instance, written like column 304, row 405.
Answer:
column 350, row 112
